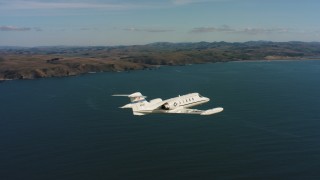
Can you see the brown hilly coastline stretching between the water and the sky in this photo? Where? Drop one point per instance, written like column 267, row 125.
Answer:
column 59, row 61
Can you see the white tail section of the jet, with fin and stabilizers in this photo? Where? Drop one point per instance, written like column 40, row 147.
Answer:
column 137, row 104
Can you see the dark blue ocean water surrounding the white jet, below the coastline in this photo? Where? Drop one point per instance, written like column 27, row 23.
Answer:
column 72, row 128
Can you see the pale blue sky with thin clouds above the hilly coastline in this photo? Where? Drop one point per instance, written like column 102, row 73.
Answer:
column 133, row 22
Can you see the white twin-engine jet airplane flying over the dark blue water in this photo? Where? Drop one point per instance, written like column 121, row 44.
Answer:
column 178, row 105
